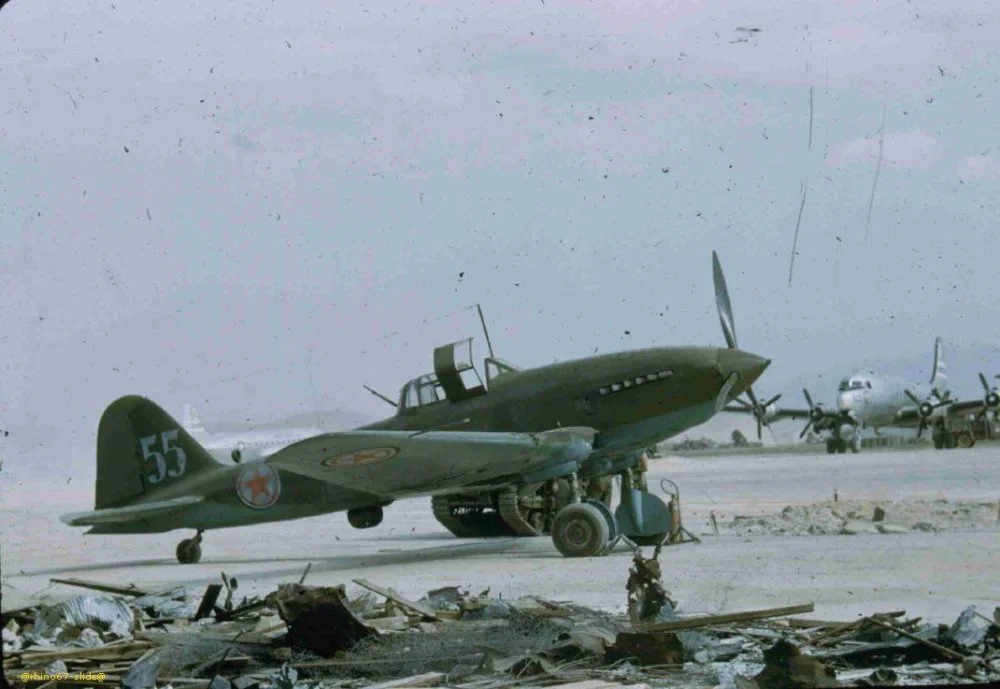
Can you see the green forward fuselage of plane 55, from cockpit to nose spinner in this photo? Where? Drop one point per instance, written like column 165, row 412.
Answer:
column 633, row 399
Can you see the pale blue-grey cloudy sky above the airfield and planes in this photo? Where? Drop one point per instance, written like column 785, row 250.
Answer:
column 259, row 207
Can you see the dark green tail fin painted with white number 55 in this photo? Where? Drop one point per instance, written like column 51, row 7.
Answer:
column 142, row 450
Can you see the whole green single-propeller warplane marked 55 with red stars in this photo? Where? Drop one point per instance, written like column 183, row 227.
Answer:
column 567, row 421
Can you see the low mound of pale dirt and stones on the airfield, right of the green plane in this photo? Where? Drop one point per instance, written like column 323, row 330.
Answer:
column 853, row 517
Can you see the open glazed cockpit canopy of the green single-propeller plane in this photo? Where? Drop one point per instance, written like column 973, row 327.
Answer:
column 454, row 379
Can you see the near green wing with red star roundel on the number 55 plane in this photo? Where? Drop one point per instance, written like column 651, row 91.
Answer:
column 401, row 463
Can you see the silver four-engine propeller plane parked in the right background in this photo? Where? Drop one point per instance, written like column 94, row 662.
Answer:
column 870, row 400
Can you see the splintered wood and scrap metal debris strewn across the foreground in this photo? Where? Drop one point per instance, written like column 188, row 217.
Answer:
column 316, row 636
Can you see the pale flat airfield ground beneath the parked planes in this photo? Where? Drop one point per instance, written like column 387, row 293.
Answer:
column 934, row 574
